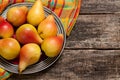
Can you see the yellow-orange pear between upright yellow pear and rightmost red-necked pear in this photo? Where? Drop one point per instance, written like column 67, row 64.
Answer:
column 47, row 27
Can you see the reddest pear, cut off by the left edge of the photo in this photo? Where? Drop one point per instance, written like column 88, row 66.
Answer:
column 6, row 29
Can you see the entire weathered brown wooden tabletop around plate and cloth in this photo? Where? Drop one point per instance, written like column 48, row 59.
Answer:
column 92, row 50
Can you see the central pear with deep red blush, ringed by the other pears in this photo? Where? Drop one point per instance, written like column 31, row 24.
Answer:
column 27, row 33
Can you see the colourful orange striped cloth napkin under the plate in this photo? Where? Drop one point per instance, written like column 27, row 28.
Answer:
column 67, row 10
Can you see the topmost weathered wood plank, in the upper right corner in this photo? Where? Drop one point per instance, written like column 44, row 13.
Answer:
column 100, row 6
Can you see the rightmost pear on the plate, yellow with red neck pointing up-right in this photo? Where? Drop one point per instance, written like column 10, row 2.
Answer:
column 52, row 45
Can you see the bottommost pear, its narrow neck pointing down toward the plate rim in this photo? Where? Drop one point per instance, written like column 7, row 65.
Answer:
column 29, row 54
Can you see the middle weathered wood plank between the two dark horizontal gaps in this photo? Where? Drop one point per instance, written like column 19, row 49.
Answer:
column 95, row 31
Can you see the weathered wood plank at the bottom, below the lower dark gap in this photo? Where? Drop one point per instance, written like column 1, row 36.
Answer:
column 80, row 65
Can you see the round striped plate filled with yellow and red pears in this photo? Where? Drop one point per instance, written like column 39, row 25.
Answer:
column 32, row 38
